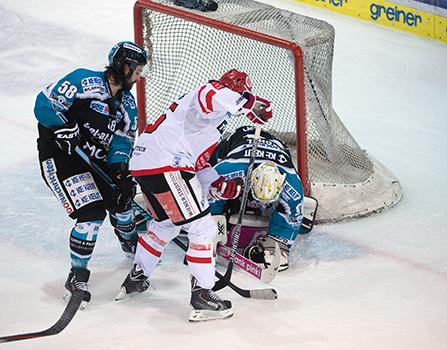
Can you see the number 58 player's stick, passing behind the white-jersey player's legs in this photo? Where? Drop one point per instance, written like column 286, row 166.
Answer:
column 268, row 294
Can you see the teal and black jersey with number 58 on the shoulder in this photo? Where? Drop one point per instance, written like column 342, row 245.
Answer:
column 107, row 123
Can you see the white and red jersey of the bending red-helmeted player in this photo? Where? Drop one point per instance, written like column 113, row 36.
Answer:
column 184, row 137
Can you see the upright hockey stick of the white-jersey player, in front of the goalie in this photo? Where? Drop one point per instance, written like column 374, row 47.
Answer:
column 237, row 228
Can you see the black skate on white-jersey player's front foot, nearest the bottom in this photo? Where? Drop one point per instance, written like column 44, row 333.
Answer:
column 207, row 305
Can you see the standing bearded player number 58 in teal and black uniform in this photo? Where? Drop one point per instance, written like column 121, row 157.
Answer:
column 95, row 111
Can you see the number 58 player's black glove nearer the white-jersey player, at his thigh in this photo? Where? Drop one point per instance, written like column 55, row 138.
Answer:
column 126, row 186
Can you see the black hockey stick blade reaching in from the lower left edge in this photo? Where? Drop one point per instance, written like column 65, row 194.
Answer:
column 66, row 317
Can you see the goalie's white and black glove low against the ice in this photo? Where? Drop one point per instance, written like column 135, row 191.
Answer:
column 263, row 251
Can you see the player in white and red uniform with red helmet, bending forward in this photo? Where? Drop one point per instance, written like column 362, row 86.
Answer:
column 170, row 162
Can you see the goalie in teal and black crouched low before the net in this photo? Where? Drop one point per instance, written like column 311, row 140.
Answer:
column 274, row 211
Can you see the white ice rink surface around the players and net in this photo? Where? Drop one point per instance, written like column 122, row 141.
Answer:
column 375, row 283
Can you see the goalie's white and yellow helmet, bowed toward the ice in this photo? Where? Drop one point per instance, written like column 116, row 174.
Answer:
column 267, row 182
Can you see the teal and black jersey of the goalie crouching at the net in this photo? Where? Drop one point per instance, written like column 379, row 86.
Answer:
column 231, row 159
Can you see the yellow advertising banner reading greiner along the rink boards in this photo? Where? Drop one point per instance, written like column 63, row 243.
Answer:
column 394, row 15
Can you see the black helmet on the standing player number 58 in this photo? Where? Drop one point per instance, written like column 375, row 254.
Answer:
column 127, row 52
